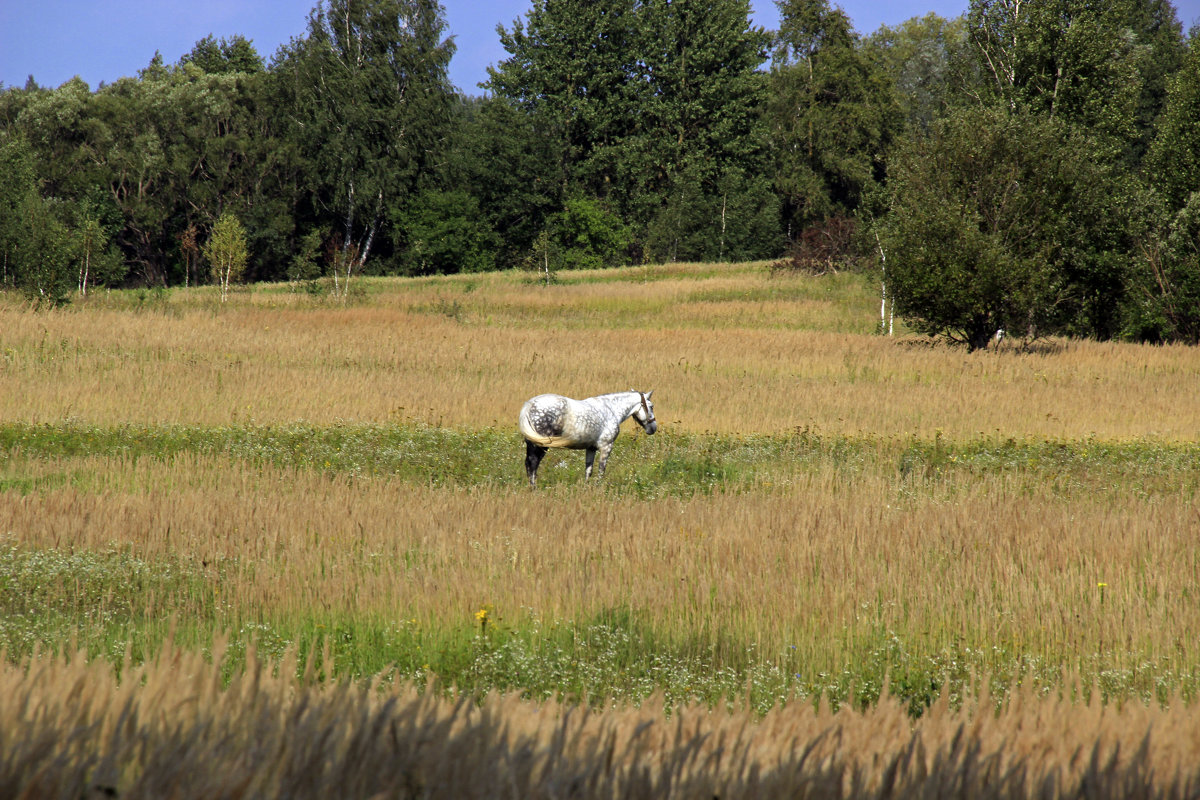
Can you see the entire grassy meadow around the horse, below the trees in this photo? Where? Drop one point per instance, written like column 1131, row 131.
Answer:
column 839, row 555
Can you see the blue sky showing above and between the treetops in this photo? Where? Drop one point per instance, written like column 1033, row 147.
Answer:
column 56, row 40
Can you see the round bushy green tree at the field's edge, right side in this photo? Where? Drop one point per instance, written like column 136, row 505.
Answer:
column 997, row 221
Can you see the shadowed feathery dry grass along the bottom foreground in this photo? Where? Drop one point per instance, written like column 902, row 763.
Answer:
column 173, row 729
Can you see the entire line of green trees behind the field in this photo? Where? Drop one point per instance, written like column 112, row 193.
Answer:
column 1027, row 167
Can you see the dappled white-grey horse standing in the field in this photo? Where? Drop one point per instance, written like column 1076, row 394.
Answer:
column 591, row 425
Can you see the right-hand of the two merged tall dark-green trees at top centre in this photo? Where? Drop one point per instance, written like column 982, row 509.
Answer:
column 700, row 146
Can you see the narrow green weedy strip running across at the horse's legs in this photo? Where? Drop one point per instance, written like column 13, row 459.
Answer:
column 669, row 465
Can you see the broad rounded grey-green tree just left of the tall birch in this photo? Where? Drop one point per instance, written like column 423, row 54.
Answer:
column 177, row 148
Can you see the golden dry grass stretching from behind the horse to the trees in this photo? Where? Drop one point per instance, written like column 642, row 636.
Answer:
column 739, row 353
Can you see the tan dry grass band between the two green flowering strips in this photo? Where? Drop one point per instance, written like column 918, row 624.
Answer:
column 814, row 575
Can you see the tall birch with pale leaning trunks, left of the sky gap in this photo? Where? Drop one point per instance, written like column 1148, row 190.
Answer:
column 371, row 106
